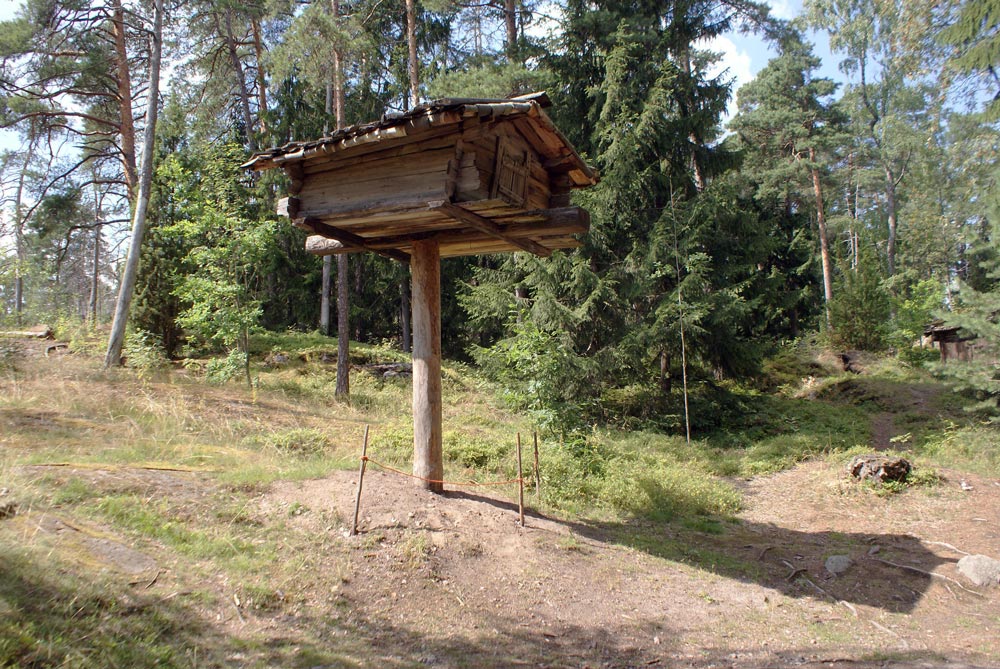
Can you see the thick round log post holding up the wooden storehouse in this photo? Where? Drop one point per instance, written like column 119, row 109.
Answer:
column 425, row 268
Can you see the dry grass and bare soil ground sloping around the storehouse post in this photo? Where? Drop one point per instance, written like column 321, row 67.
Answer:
column 147, row 523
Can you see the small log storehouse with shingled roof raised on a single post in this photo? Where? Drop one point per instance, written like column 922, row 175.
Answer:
column 452, row 177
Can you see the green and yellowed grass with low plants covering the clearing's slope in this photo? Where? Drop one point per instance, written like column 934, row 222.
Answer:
column 647, row 489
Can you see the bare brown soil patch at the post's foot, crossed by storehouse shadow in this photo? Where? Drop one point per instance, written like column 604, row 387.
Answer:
column 456, row 572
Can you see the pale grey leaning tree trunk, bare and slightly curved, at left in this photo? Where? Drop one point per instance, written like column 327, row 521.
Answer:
column 117, row 338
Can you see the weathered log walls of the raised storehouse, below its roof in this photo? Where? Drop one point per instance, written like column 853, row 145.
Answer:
column 400, row 192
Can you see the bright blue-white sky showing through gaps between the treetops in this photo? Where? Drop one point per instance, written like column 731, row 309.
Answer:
column 742, row 55
